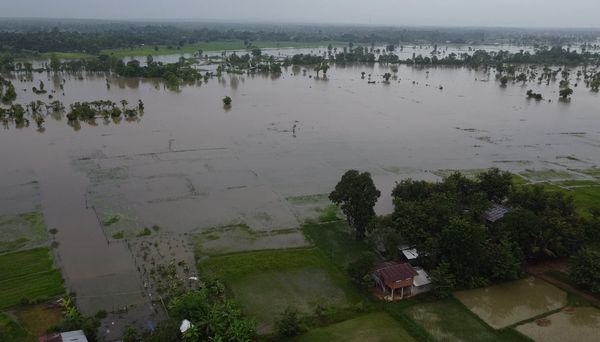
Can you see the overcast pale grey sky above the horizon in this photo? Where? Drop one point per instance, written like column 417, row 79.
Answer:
column 515, row 13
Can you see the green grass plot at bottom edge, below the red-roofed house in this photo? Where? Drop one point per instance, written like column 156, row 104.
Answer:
column 373, row 327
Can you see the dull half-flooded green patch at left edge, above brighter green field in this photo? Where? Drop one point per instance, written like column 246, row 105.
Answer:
column 22, row 231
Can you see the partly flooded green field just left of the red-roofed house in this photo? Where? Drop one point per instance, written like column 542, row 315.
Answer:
column 267, row 282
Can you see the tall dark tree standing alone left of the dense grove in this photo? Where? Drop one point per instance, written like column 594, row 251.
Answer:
column 356, row 194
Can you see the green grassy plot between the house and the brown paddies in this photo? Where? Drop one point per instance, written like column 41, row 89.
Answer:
column 448, row 320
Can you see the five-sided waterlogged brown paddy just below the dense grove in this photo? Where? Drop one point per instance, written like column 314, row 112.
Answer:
column 508, row 303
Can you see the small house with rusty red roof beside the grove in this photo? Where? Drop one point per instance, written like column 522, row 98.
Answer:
column 392, row 276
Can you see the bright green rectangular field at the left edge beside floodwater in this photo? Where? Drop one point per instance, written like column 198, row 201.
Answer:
column 28, row 275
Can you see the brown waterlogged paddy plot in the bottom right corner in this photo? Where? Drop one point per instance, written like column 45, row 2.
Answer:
column 573, row 324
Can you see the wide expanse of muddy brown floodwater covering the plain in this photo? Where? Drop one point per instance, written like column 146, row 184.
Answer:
column 189, row 165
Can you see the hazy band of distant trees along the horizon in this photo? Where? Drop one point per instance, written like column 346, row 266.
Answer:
column 92, row 38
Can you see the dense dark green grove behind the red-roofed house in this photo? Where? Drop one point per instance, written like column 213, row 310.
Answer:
column 444, row 222
